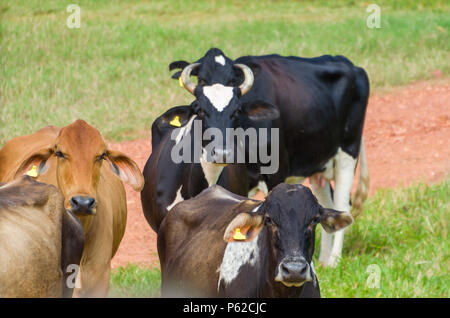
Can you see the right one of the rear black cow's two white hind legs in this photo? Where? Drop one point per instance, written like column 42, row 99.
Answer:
column 344, row 174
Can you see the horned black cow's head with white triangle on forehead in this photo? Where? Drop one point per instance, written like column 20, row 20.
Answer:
column 218, row 100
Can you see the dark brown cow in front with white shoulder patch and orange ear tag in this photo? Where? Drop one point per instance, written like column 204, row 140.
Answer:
column 219, row 244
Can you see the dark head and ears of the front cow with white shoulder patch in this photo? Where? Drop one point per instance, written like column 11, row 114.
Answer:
column 289, row 216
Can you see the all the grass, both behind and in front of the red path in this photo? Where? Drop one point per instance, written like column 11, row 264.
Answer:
column 113, row 72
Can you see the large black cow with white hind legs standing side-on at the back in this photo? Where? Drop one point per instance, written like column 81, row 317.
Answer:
column 322, row 103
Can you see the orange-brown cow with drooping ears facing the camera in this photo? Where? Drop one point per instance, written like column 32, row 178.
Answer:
column 76, row 159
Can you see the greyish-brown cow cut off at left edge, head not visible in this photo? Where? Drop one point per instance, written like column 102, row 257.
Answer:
column 39, row 240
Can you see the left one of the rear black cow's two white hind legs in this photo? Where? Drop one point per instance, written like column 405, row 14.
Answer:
column 323, row 195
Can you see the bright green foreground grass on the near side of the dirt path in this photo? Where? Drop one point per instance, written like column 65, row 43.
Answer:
column 403, row 232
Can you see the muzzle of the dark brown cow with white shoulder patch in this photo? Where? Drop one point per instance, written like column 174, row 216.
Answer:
column 294, row 271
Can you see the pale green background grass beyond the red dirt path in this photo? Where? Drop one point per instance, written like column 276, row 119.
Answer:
column 113, row 71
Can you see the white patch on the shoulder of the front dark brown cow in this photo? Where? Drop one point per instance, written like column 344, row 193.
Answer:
column 236, row 255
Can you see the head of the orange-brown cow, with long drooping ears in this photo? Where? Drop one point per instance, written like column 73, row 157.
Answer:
column 79, row 153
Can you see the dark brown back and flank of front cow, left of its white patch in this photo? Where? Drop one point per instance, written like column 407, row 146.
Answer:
column 181, row 249
